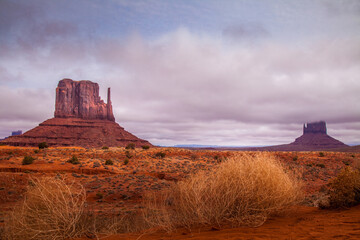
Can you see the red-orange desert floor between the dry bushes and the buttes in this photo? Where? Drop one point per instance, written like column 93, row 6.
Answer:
column 119, row 188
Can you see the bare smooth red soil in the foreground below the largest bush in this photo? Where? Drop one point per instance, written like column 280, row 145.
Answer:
column 301, row 223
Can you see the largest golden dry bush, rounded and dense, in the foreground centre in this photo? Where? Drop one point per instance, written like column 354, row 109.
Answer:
column 244, row 190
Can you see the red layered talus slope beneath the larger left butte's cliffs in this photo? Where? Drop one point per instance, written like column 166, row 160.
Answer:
column 77, row 132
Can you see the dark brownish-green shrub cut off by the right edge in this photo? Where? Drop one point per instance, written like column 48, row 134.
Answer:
column 344, row 190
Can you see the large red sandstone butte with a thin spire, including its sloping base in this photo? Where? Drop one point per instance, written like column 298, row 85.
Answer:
column 81, row 119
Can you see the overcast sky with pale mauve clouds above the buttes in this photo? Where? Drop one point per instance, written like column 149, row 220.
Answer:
column 219, row 72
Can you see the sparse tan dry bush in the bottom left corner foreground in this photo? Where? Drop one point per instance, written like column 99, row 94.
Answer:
column 51, row 209
